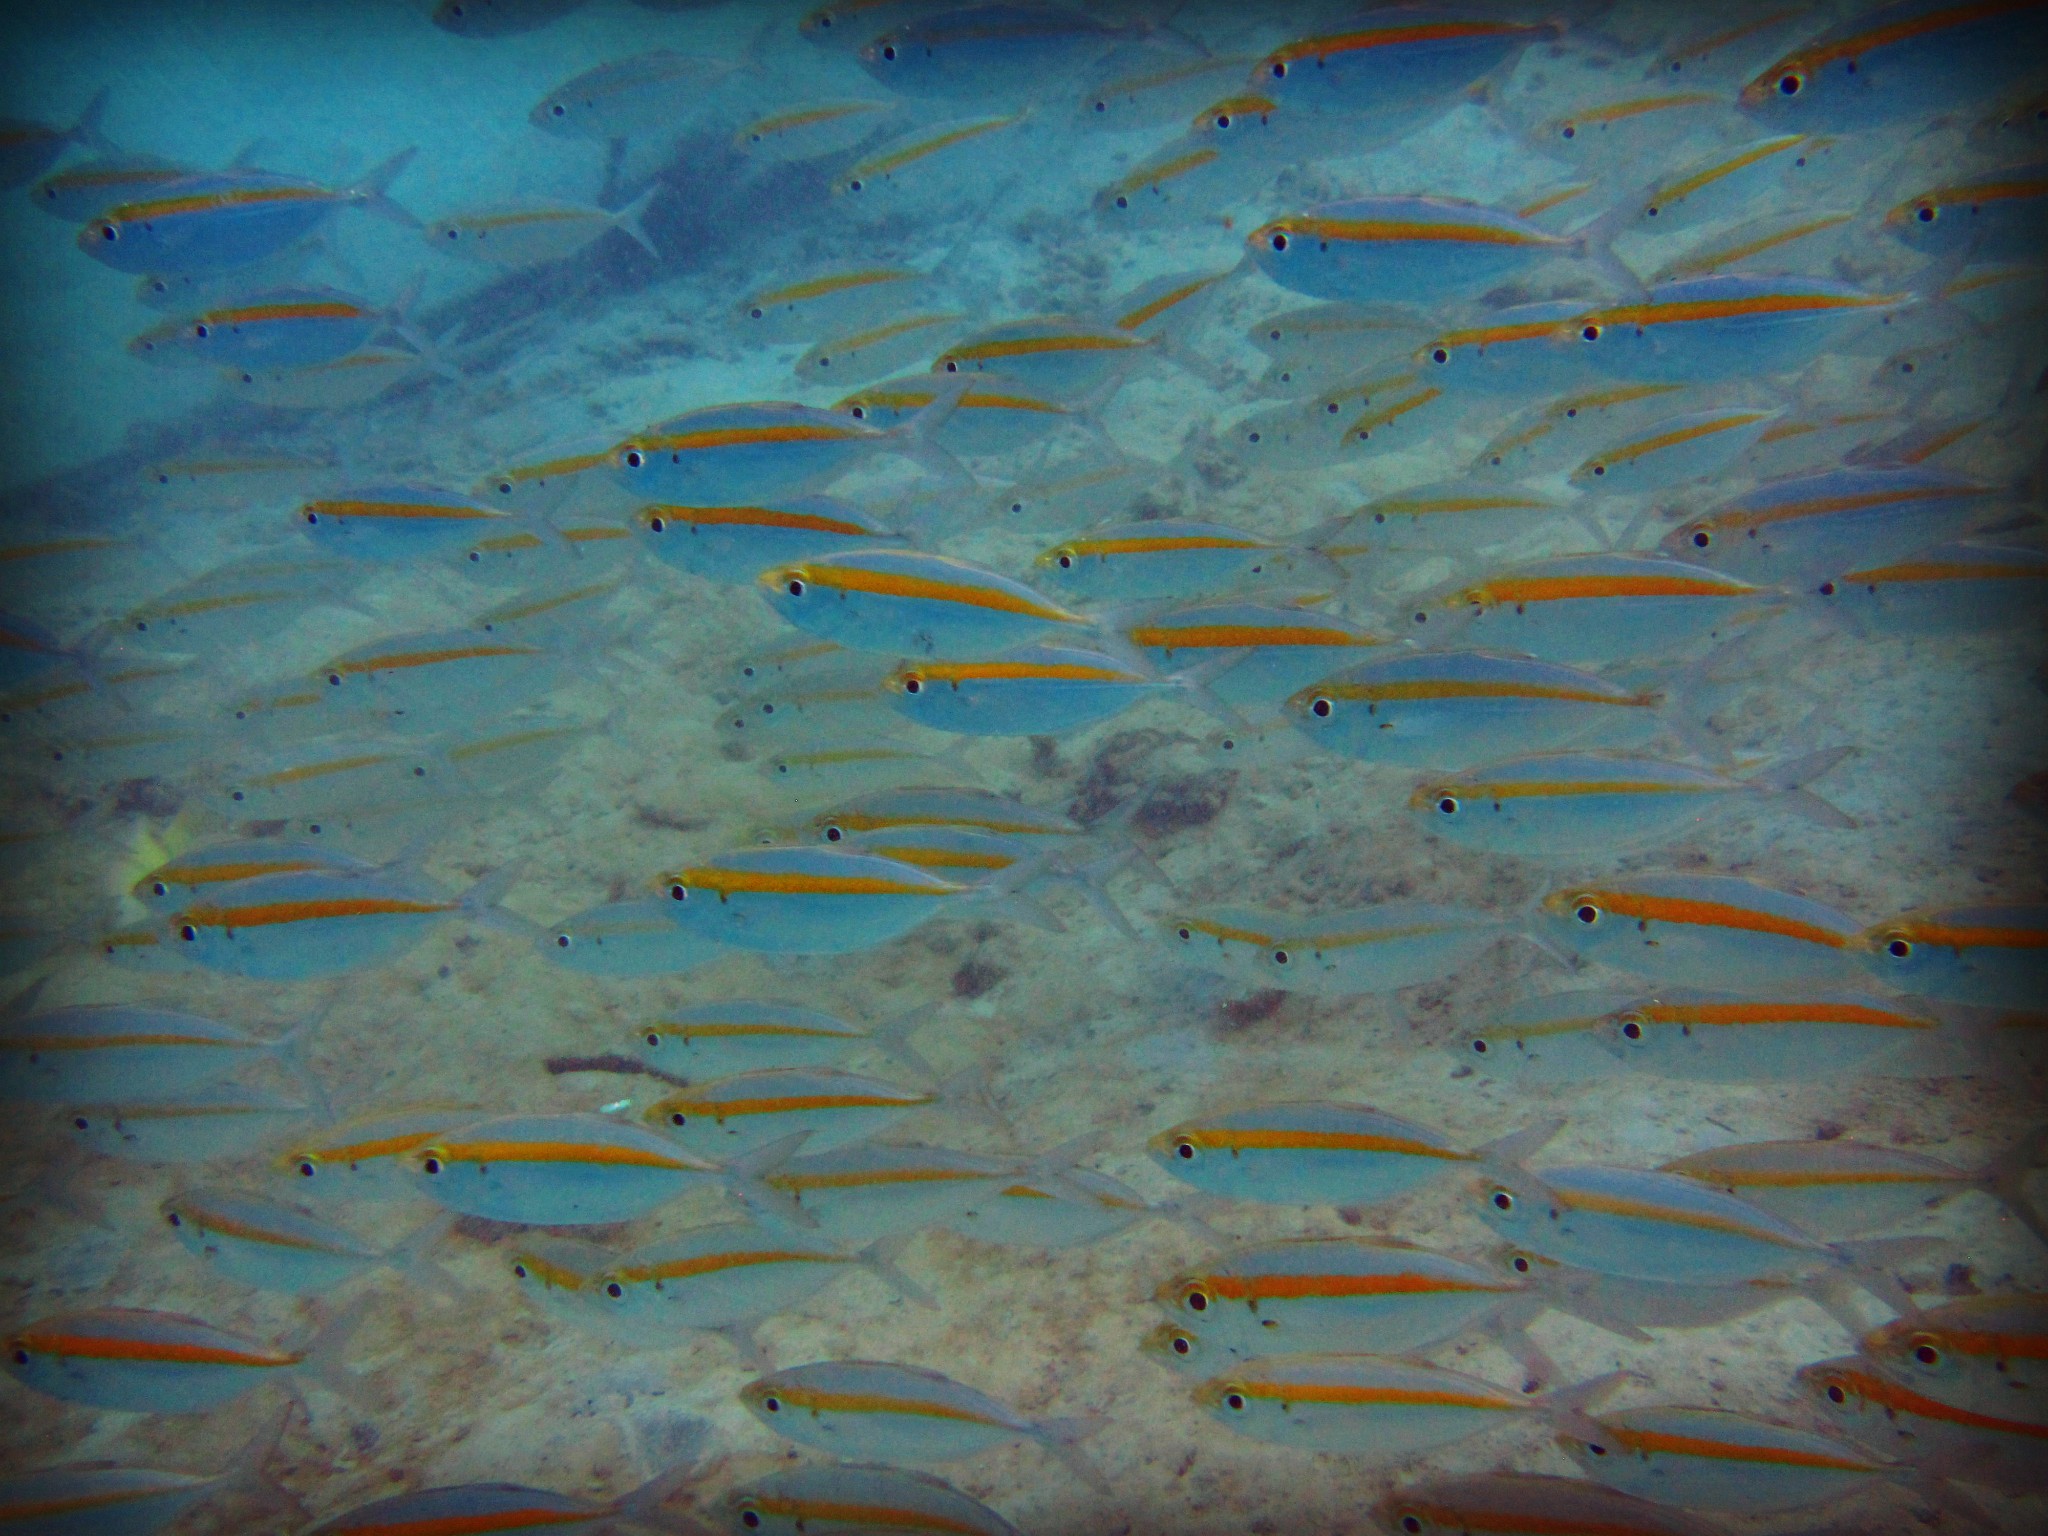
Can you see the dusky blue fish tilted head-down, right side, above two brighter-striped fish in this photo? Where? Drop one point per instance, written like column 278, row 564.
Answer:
column 1830, row 521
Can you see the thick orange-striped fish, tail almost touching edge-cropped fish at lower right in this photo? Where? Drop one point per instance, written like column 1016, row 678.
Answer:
column 1707, row 931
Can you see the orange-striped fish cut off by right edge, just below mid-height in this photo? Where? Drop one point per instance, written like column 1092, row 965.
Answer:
column 1981, row 957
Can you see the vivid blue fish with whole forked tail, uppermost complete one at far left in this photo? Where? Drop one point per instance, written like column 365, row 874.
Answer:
column 226, row 220
